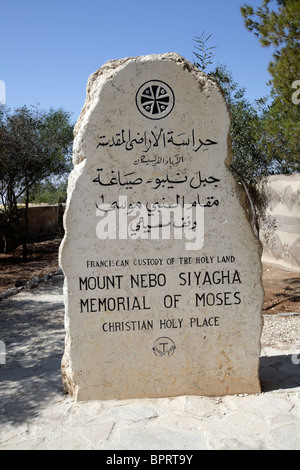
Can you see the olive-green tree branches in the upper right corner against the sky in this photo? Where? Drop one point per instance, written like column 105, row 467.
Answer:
column 277, row 25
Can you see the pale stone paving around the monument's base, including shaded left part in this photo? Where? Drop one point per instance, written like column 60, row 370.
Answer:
column 34, row 414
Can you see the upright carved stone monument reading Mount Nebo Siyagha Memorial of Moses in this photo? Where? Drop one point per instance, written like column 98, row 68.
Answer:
column 163, row 288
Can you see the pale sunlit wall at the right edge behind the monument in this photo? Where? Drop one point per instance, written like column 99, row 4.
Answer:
column 280, row 227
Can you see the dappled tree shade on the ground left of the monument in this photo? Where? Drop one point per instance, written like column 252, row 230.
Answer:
column 33, row 333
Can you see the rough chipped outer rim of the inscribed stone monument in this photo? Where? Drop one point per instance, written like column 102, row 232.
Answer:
column 94, row 88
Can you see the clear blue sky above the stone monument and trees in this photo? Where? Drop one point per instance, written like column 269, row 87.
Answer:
column 49, row 48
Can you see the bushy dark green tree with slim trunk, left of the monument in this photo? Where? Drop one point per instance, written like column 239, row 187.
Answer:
column 34, row 145
